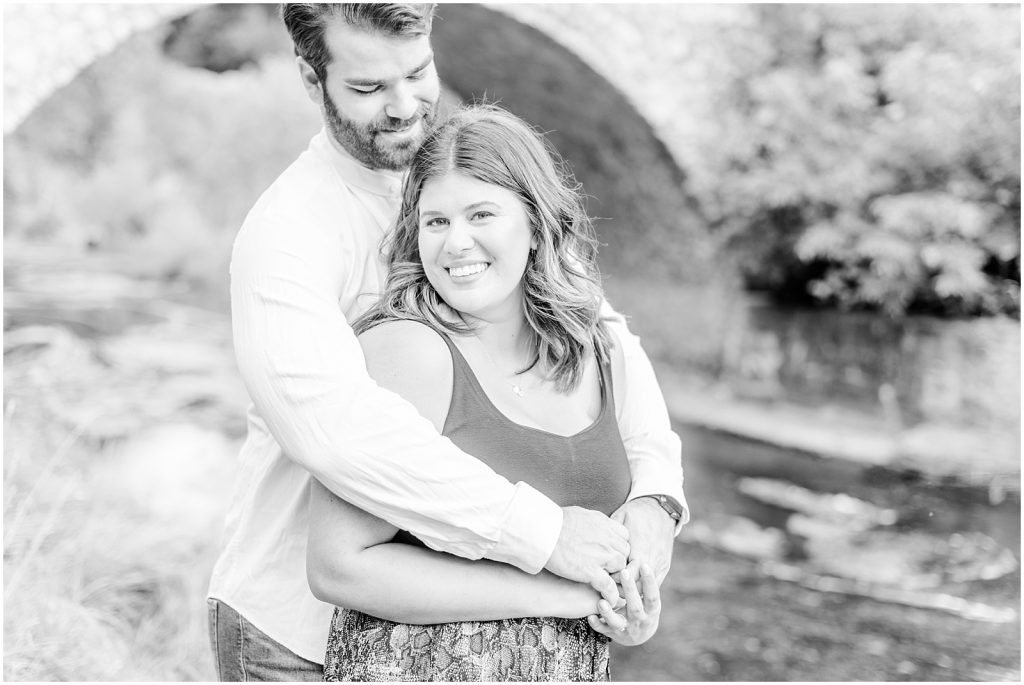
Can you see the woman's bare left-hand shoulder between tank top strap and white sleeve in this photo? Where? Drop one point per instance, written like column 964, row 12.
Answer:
column 411, row 360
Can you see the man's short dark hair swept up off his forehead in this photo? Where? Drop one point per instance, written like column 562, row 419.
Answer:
column 307, row 23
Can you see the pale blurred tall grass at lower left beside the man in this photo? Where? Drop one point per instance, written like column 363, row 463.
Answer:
column 97, row 587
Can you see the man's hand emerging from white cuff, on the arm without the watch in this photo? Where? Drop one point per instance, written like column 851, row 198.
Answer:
column 590, row 548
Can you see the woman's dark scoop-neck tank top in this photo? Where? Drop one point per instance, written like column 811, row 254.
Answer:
column 588, row 469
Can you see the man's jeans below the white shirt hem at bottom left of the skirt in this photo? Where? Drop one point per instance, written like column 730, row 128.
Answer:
column 243, row 653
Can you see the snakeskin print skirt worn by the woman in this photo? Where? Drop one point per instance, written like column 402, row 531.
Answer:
column 365, row 649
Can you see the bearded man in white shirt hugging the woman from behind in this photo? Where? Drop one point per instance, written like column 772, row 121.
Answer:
column 306, row 263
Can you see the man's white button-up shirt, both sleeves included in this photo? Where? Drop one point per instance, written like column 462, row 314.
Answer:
column 308, row 262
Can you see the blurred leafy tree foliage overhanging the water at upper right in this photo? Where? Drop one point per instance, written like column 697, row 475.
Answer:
column 869, row 156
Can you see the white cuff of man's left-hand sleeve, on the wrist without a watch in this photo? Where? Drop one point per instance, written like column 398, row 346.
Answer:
column 531, row 531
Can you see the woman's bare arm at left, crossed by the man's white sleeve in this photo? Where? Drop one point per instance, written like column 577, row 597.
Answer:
column 352, row 561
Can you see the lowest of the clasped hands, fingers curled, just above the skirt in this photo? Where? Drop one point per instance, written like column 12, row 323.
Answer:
column 638, row 621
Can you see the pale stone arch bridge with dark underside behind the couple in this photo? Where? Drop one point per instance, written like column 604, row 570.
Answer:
column 613, row 85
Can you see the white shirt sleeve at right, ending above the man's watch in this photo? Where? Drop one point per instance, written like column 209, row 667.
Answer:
column 652, row 447
